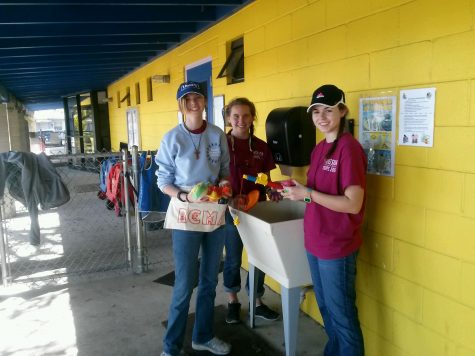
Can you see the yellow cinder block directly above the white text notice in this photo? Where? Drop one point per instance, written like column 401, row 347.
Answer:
column 406, row 65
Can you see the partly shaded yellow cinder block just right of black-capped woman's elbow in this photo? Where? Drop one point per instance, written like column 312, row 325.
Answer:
column 402, row 221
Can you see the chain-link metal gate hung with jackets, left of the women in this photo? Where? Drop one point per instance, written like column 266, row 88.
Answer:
column 80, row 237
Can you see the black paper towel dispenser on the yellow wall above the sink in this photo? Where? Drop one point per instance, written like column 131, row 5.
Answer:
column 291, row 135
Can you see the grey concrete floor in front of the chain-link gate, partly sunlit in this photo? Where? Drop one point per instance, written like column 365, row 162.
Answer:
column 113, row 313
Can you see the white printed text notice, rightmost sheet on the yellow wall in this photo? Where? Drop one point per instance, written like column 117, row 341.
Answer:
column 416, row 117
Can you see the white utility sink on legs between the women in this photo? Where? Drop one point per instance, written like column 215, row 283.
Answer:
column 272, row 234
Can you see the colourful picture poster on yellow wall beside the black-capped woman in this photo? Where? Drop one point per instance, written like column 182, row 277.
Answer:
column 378, row 133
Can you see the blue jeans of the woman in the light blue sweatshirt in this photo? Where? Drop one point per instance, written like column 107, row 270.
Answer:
column 186, row 249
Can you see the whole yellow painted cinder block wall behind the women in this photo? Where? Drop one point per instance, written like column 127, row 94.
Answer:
column 416, row 270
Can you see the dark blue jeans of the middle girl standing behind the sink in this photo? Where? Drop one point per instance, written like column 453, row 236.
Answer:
column 233, row 261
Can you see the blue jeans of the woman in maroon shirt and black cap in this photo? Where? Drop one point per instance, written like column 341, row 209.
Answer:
column 334, row 286
